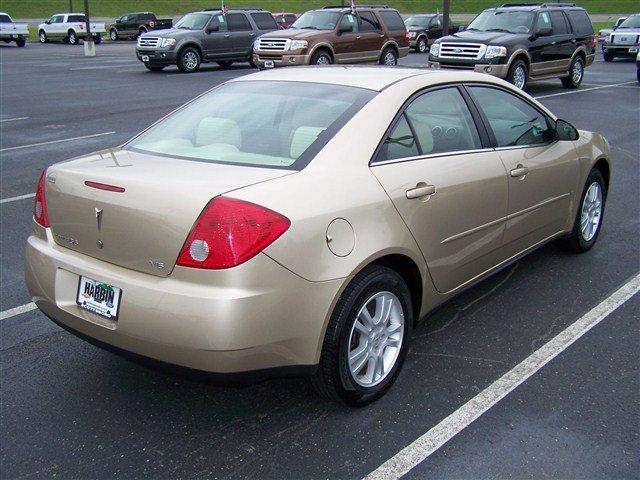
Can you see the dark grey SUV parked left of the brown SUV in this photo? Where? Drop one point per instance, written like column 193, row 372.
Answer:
column 206, row 36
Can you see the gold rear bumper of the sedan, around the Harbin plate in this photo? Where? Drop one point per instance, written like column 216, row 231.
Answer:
column 256, row 316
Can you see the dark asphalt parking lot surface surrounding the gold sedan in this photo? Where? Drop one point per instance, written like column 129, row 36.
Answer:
column 70, row 410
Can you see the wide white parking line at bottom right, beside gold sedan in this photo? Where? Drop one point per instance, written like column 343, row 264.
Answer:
column 436, row 437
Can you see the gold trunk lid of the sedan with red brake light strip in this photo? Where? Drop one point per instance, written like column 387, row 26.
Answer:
column 133, row 209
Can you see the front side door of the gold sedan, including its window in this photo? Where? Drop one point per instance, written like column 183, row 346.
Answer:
column 542, row 172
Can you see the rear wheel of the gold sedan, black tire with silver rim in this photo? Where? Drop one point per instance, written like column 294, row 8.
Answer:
column 335, row 378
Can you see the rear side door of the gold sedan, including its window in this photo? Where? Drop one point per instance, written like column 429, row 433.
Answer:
column 448, row 186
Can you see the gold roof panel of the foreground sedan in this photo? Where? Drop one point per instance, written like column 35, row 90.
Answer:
column 369, row 77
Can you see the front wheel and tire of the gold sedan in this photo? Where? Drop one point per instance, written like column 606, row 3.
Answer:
column 588, row 222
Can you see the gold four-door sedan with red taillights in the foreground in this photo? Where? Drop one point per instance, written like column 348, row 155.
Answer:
column 301, row 221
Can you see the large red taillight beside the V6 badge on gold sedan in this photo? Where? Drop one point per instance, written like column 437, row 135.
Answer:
column 229, row 232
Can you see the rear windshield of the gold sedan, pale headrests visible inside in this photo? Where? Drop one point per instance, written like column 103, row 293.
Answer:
column 256, row 123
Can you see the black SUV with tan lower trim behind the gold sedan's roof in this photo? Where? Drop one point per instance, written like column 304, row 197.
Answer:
column 522, row 42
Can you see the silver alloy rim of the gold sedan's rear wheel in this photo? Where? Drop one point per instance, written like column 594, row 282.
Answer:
column 375, row 340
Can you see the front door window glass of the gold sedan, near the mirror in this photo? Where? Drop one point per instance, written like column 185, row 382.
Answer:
column 513, row 121
